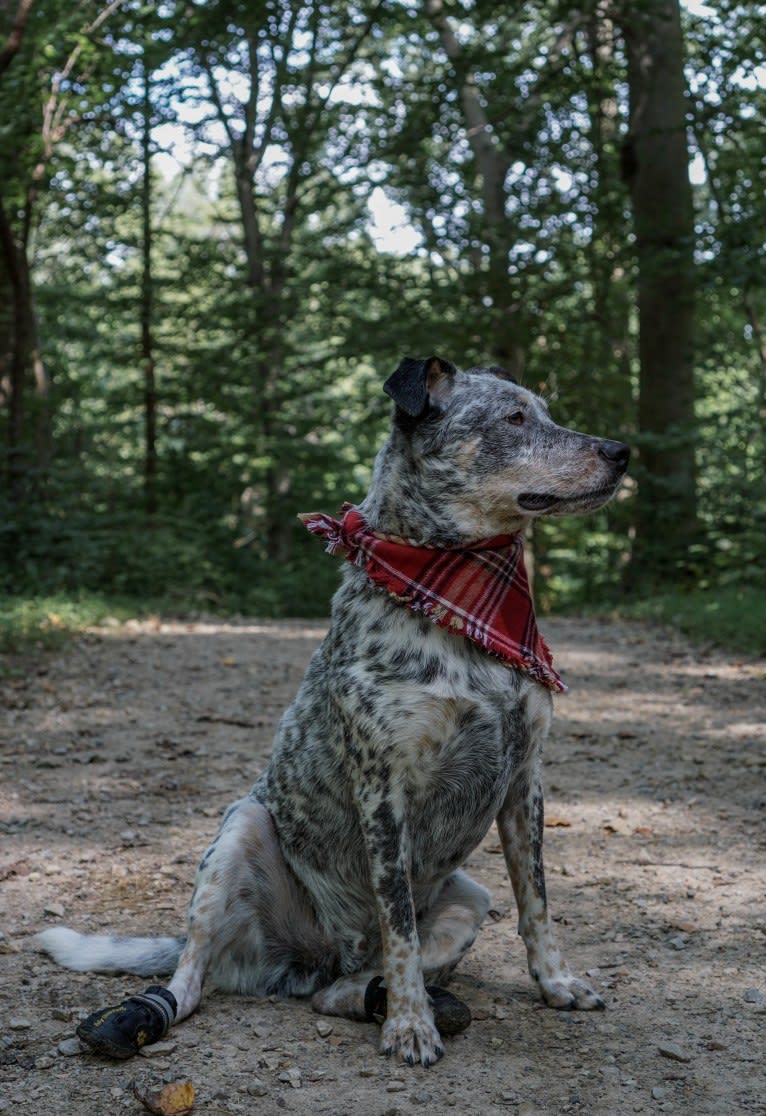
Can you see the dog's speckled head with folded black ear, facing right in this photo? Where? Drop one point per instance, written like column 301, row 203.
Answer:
column 487, row 451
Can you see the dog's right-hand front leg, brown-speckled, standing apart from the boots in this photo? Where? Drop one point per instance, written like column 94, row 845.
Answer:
column 521, row 824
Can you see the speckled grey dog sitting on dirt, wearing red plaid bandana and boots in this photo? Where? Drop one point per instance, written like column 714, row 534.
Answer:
column 340, row 876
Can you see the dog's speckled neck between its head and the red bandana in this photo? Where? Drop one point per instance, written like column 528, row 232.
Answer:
column 410, row 499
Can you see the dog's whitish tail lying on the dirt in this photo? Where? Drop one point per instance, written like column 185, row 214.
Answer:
column 101, row 954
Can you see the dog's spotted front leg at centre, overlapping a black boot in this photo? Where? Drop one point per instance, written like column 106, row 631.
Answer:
column 409, row 1030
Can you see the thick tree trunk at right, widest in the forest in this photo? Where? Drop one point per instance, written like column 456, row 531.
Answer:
column 656, row 168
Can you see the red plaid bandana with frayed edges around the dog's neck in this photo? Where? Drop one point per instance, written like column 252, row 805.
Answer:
column 480, row 592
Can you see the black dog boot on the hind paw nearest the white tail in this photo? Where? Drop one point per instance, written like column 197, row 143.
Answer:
column 121, row 1032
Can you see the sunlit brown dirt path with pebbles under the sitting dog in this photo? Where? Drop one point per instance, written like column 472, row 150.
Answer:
column 120, row 755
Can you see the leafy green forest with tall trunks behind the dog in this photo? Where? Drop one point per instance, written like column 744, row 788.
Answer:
column 224, row 224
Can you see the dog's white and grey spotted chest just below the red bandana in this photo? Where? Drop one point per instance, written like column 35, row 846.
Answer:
column 439, row 718
